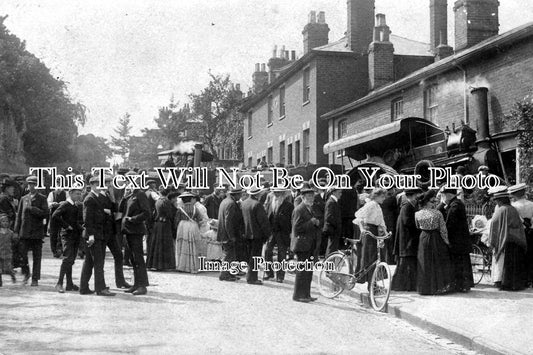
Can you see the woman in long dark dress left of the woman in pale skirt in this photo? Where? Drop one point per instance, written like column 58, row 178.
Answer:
column 161, row 250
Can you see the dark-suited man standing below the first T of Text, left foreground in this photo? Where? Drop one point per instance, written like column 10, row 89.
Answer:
column 94, row 219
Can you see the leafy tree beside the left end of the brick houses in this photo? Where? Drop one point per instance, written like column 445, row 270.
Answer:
column 216, row 106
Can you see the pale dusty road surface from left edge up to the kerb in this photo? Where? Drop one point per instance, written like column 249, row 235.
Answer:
column 198, row 314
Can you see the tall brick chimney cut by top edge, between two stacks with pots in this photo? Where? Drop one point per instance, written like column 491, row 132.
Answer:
column 360, row 25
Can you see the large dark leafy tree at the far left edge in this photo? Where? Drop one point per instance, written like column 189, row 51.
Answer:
column 36, row 103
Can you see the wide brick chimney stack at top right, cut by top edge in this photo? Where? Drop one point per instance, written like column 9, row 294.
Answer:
column 475, row 21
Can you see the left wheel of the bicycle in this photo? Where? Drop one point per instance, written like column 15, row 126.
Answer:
column 328, row 285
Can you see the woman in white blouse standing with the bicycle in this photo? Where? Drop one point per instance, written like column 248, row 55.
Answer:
column 370, row 218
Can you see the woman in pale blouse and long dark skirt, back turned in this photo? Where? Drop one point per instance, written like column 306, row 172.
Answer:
column 434, row 269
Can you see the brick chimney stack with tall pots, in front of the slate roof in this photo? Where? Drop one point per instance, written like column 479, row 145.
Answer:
column 380, row 55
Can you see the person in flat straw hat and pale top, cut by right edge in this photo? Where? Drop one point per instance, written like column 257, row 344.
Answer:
column 525, row 210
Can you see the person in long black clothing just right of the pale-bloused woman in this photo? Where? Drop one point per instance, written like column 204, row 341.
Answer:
column 454, row 213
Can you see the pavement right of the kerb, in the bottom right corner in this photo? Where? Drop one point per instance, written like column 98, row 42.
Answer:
column 485, row 319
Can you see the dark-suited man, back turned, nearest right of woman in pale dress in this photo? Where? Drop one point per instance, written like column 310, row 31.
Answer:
column 229, row 231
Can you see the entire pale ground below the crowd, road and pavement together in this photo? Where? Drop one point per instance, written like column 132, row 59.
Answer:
column 185, row 313
